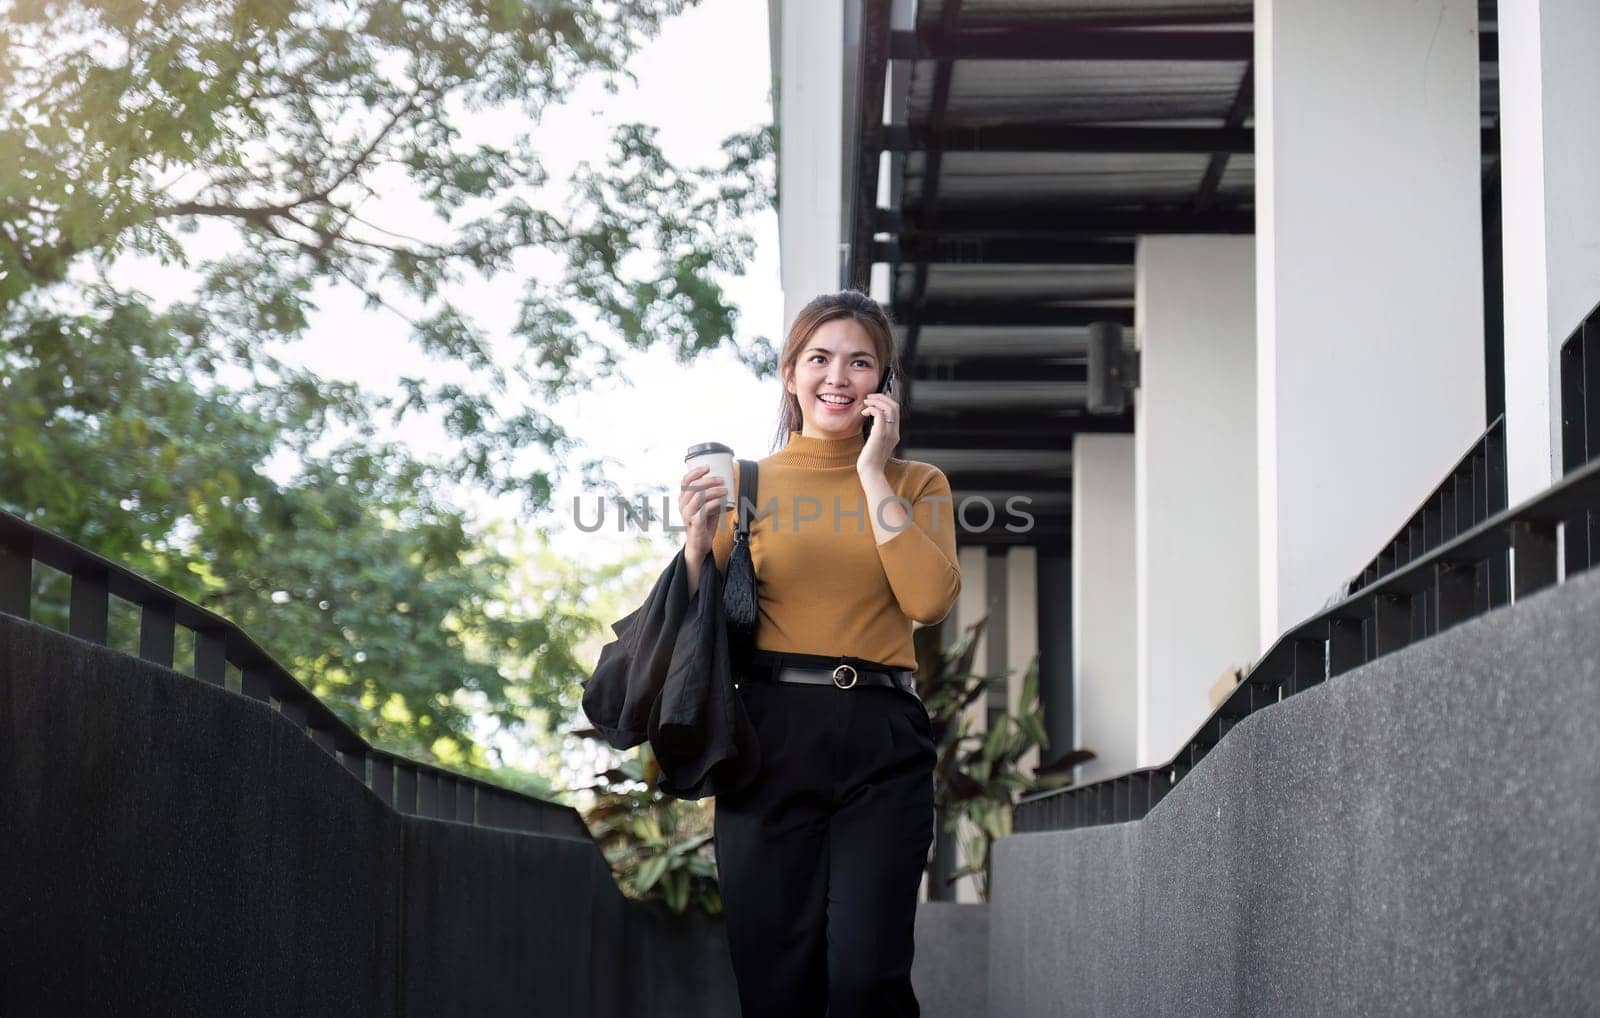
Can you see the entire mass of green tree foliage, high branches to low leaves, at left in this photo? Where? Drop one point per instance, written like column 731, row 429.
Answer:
column 175, row 441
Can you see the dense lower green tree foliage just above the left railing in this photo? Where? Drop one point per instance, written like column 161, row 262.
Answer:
column 353, row 571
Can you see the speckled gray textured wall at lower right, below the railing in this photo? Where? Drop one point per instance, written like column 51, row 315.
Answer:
column 1420, row 836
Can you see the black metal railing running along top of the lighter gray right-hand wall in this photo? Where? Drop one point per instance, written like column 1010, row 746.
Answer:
column 1454, row 580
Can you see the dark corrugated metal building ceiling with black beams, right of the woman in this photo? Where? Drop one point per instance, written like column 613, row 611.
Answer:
column 1031, row 143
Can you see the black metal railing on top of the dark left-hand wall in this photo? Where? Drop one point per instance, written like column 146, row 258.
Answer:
column 407, row 785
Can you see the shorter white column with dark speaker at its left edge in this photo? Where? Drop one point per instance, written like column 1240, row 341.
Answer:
column 1196, row 515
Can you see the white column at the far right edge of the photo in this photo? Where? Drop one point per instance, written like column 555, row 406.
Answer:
column 1550, row 87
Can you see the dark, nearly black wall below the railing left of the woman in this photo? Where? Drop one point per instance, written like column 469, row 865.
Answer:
column 169, row 848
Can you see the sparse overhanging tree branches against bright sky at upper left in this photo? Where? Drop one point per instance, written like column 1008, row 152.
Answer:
column 313, row 129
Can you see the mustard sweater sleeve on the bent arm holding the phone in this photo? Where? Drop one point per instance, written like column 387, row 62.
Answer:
column 921, row 559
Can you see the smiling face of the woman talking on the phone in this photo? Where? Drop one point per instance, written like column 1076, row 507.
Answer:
column 836, row 367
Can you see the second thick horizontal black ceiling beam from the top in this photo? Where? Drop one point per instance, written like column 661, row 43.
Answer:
column 1070, row 138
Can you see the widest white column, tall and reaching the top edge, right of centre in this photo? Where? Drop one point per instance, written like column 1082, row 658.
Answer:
column 1369, row 279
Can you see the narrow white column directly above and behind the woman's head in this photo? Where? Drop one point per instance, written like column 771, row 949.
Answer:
column 810, row 166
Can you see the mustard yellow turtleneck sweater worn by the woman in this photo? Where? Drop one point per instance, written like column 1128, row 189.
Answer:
column 825, row 585
